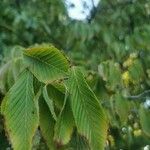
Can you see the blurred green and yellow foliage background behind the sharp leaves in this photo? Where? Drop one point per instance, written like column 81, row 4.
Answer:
column 111, row 44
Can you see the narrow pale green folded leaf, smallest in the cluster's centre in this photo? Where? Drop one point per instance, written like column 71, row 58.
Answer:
column 49, row 102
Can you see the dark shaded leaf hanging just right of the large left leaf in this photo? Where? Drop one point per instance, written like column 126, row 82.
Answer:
column 46, row 124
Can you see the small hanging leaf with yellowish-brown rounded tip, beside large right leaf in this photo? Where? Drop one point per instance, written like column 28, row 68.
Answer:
column 64, row 125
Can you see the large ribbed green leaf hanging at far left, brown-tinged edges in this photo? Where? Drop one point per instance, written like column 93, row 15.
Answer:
column 20, row 112
